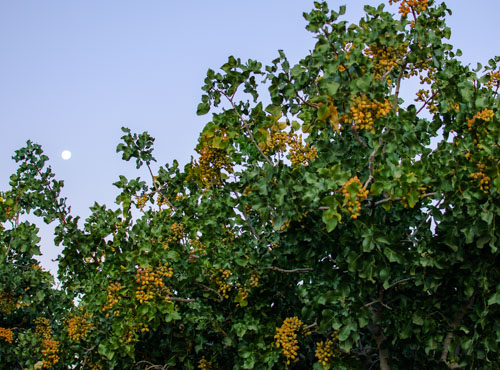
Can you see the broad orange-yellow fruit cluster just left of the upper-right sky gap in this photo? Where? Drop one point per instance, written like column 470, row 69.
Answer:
column 363, row 112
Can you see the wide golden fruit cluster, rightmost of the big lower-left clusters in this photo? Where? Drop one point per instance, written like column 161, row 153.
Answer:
column 150, row 283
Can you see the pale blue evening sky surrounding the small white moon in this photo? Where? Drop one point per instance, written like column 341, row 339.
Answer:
column 72, row 73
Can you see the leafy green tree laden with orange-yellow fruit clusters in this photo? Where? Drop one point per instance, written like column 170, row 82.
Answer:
column 321, row 230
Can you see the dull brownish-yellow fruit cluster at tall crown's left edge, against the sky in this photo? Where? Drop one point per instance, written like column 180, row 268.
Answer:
column 211, row 162
